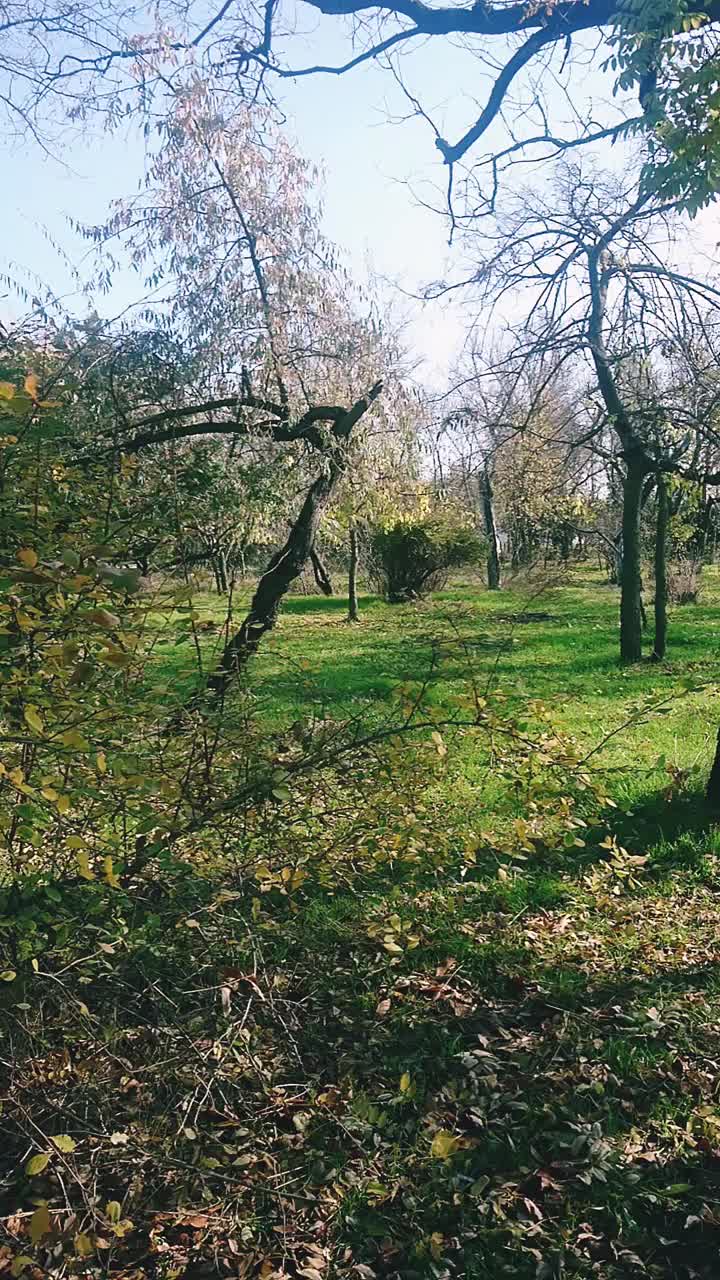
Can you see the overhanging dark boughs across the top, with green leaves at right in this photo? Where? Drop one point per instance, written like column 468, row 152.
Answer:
column 104, row 56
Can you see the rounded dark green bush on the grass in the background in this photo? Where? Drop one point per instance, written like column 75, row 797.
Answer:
column 413, row 557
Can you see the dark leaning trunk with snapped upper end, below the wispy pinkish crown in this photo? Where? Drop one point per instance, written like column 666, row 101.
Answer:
column 288, row 565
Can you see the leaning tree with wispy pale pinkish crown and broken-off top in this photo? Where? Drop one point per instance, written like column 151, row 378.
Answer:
column 226, row 237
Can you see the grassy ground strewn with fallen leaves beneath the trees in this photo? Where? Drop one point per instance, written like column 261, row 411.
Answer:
column 448, row 1066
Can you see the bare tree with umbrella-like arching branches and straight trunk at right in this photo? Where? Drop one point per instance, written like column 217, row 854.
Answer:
column 590, row 262
